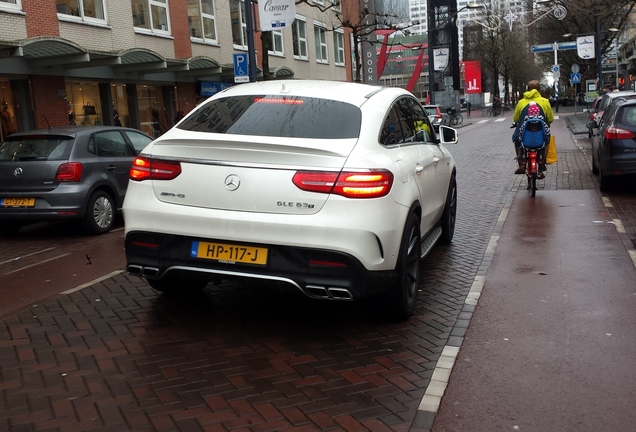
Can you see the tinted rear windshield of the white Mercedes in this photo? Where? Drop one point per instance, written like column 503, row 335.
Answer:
column 276, row 116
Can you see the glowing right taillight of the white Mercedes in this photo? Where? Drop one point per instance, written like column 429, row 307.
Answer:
column 350, row 184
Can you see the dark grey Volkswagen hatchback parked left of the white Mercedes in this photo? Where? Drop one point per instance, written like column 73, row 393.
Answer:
column 66, row 173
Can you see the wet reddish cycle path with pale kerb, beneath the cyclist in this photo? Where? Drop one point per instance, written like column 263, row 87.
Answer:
column 550, row 344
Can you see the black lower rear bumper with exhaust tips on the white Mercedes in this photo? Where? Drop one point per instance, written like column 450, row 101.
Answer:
column 317, row 273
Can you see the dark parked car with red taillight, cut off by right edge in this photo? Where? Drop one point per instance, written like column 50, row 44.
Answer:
column 614, row 147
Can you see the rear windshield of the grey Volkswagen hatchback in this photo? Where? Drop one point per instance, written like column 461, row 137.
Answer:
column 35, row 148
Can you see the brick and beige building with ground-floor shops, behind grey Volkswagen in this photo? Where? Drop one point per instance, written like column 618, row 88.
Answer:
column 146, row 63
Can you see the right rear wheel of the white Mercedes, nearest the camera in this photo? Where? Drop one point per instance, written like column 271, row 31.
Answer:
column 403, row 296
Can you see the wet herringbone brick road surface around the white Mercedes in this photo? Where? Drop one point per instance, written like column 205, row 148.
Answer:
column 117, row 356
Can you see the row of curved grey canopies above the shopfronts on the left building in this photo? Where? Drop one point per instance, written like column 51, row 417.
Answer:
column 54, row 51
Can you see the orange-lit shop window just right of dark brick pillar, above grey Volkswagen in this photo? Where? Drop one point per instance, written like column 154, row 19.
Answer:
column 84, row 103
